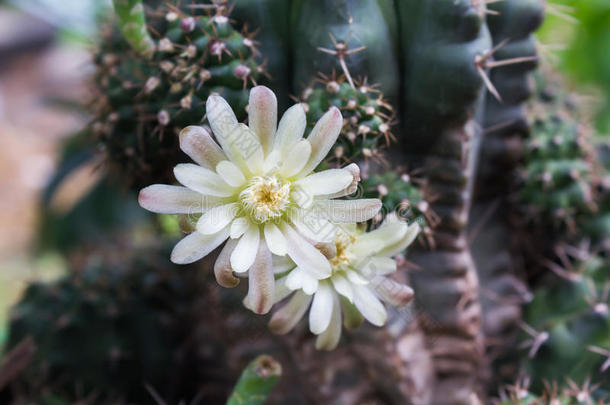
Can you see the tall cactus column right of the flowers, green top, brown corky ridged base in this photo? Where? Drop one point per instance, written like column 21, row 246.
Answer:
column 442, row 87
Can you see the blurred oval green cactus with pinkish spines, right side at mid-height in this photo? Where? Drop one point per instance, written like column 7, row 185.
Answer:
column 558, row 187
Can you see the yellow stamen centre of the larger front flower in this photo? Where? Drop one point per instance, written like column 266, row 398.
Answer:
column 265, row 198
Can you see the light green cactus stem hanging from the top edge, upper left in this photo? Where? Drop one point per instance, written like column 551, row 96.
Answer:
column 132, row 23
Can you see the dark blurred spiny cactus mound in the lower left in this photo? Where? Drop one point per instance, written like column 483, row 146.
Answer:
column 110, row 328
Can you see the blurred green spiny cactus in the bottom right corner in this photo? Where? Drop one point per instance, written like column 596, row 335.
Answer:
column 575, row 315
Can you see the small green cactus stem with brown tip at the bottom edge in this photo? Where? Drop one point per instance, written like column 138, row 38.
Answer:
column 256, row 382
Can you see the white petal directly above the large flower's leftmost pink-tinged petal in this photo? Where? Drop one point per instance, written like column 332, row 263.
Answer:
column 202, row 180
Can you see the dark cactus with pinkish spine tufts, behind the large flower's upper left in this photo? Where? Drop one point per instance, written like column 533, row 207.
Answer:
column 144, row 102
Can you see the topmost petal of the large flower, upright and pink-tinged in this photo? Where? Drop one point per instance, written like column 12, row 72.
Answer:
column 262, row 115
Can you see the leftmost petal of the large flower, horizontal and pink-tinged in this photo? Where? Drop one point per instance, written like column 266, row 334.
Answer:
column 165, row 199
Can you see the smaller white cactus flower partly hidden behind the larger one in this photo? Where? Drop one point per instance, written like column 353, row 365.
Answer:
column 360, row 263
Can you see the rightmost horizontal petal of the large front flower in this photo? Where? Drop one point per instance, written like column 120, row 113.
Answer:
column 349, row 211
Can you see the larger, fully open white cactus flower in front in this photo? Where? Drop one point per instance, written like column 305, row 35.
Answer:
column 256, row 187
